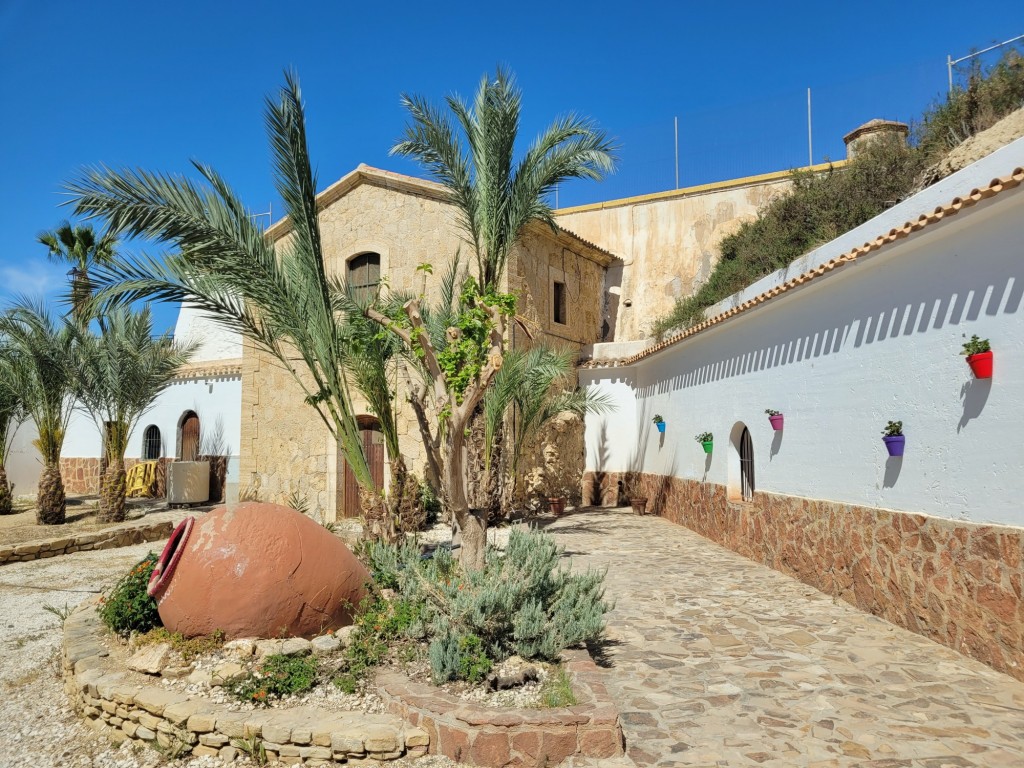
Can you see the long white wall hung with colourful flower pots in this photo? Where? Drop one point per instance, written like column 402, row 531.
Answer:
column 876, row 340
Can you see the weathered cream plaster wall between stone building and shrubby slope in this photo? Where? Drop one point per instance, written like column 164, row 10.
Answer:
column 669, row 242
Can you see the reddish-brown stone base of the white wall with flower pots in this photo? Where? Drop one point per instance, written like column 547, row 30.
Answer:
column 957, row 583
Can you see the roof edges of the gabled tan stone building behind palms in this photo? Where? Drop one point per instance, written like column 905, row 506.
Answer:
column 412, row 186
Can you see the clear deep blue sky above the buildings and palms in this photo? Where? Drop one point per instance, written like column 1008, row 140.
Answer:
column 156, row 84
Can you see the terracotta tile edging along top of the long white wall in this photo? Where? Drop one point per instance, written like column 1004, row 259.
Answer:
column 996, row 187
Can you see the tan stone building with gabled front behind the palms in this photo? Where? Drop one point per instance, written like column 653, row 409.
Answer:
column 381, row 226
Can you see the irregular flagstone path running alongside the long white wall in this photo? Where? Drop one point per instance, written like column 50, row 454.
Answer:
column 717, row 661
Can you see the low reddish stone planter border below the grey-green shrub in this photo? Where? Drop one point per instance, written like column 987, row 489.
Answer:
column 487, row 737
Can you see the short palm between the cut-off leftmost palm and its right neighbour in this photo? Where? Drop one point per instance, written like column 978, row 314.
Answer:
column 47, row 356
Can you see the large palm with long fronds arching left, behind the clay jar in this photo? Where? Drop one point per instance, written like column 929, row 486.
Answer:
column 276, row 296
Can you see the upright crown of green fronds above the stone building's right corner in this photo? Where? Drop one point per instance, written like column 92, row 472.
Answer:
column 496, row 196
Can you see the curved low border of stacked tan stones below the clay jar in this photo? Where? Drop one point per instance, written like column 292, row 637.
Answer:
column 104, row 694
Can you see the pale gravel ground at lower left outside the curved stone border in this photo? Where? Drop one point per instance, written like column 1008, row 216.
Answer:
column 37, row 726
